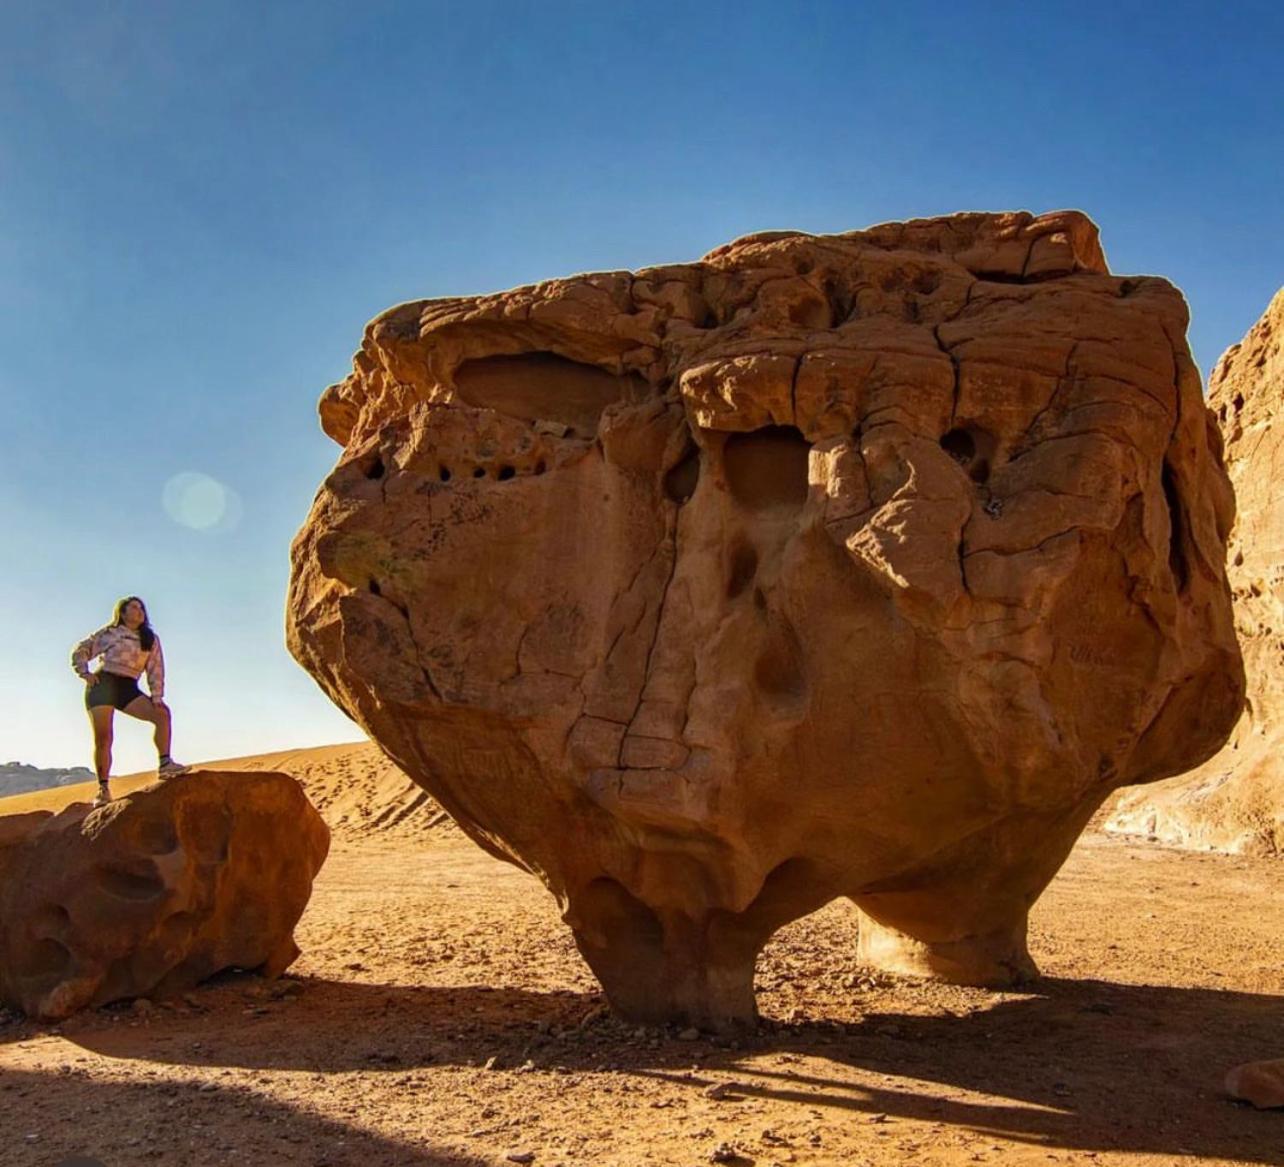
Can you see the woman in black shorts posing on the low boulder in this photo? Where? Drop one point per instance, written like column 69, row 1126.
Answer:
column 128, row 646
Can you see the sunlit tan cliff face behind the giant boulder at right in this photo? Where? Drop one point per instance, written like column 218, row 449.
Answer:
column 1236, row 802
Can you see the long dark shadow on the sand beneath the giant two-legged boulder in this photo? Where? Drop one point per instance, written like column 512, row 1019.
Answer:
column 1082, row 1066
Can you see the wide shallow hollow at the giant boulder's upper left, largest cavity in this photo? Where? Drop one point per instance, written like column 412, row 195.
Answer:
column 545, row 386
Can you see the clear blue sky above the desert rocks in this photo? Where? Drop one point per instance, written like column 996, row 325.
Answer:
column 201, row 206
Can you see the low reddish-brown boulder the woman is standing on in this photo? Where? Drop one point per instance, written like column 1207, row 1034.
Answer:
column 155, row 893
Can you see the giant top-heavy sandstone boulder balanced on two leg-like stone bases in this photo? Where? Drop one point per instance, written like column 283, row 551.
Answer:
column 853, row 566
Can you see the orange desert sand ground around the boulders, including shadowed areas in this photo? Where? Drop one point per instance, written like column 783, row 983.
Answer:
column 441, row 1015
